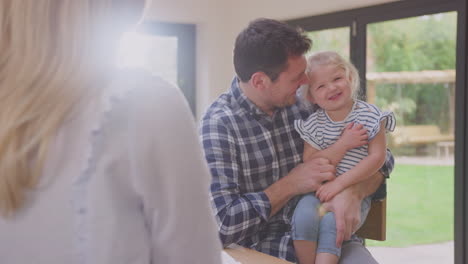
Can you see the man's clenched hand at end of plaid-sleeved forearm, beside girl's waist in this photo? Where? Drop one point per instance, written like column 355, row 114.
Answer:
column 309, row 176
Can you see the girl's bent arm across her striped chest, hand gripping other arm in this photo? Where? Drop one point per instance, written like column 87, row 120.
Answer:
column 353, row 136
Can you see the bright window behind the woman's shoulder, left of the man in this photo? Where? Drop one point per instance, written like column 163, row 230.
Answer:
column 165, row 49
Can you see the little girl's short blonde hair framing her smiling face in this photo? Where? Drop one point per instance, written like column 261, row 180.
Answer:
column 325, row 58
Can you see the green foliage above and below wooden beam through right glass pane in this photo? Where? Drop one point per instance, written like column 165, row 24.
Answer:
column 414, row 44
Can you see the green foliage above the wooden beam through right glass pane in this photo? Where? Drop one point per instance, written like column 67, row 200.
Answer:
column 413, row 44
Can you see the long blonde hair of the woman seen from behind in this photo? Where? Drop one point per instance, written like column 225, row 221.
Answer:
column 51, row 57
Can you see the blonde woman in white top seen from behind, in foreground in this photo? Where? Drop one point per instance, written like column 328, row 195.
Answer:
column 97, row 165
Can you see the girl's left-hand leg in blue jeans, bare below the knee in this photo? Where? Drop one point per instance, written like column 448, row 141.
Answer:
column 305, row 226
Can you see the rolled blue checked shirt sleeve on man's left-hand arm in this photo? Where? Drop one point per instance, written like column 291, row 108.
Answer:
column 239, row 215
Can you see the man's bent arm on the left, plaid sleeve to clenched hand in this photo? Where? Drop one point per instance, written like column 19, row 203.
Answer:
column 240, row 215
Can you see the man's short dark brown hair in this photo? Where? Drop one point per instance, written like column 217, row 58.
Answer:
column 265, row 45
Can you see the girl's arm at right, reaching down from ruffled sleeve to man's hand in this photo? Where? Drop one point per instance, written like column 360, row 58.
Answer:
column 362, row 171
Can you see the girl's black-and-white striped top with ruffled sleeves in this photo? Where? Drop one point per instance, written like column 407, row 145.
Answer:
column 321, row 132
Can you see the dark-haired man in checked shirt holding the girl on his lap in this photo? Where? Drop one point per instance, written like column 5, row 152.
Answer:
column 255, row 154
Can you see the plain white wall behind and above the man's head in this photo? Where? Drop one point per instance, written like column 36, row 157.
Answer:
column 219, row 21
